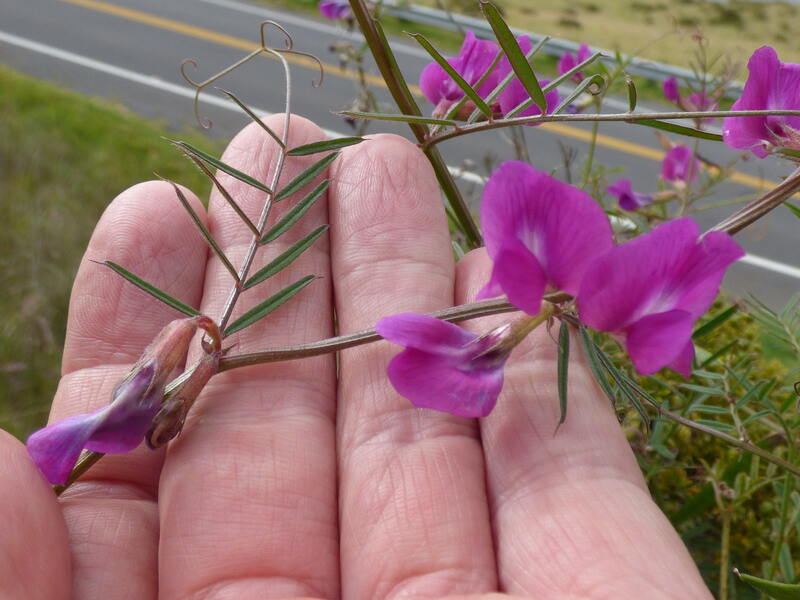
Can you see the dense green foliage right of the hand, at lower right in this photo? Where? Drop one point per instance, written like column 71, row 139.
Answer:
column 695, row 478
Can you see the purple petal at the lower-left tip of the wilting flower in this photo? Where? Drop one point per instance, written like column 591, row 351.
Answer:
column 55, row 449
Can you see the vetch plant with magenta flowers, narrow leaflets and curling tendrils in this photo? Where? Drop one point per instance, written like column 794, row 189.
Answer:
column 555, row 256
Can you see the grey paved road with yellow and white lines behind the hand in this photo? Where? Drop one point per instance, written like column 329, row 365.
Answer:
column 129, row 50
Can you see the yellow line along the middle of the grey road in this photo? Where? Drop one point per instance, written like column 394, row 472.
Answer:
column 222, row 39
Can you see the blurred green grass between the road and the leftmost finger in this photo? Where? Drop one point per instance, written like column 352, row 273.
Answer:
column 63, row 157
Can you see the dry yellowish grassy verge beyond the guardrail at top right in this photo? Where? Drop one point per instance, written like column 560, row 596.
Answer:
column 734, row 29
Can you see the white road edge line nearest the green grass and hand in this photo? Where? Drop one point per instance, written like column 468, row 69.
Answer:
column 186, row 92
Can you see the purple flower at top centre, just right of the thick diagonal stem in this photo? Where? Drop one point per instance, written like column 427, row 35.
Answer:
column 472, row 61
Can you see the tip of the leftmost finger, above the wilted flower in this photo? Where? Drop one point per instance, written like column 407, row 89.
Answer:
column 146, row 230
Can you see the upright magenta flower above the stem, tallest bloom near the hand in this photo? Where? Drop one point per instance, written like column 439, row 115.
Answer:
column 540, row 233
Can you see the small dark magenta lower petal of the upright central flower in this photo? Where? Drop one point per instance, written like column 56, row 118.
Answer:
column 520, row 276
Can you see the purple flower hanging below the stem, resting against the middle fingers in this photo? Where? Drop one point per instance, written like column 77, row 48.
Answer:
column 445, row 367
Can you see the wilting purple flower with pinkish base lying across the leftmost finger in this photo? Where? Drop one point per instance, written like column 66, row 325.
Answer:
column 120, row 426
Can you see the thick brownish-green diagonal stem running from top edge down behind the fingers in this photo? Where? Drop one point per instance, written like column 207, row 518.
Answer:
column 387, row 65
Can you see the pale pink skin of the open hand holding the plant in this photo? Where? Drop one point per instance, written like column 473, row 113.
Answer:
column 289, row 483
